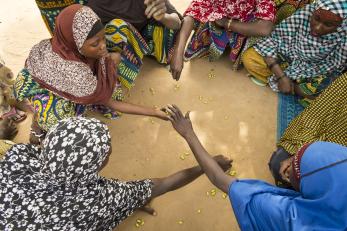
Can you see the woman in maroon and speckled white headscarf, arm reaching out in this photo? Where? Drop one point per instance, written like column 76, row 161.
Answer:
column 73, row 70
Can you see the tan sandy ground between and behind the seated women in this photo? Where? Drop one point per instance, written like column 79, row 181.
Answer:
column 234, row 117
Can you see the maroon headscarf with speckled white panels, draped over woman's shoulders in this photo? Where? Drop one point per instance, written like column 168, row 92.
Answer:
column 58, row 65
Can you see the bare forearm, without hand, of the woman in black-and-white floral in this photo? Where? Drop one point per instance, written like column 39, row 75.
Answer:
column 175, row 181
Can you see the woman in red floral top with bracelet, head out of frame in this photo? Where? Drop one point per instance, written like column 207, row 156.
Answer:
column 218, row 25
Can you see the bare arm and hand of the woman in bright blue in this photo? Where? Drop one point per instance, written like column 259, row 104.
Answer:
column 214, row 172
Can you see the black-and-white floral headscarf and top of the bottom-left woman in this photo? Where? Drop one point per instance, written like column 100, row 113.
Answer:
column 58, row 187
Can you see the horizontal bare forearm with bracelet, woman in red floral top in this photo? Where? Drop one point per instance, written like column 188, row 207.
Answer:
column 257, row 28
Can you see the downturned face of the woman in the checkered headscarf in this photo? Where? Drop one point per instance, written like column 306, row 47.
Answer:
column 324, row 22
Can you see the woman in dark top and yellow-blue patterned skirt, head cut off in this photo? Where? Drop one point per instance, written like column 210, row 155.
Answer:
column 137, row 28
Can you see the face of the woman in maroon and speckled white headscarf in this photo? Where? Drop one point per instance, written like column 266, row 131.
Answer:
column 95, row 47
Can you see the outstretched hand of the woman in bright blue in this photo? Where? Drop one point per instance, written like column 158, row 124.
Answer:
column 181, row 124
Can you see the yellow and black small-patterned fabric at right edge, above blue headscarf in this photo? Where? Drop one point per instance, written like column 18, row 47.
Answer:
column 324, row 120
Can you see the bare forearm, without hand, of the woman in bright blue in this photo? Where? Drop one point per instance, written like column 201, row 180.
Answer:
column 213, row 171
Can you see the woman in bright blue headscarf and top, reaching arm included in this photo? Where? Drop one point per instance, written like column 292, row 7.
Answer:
column 317, row 172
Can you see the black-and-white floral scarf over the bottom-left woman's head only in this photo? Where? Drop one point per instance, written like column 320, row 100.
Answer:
column 74, row 150
